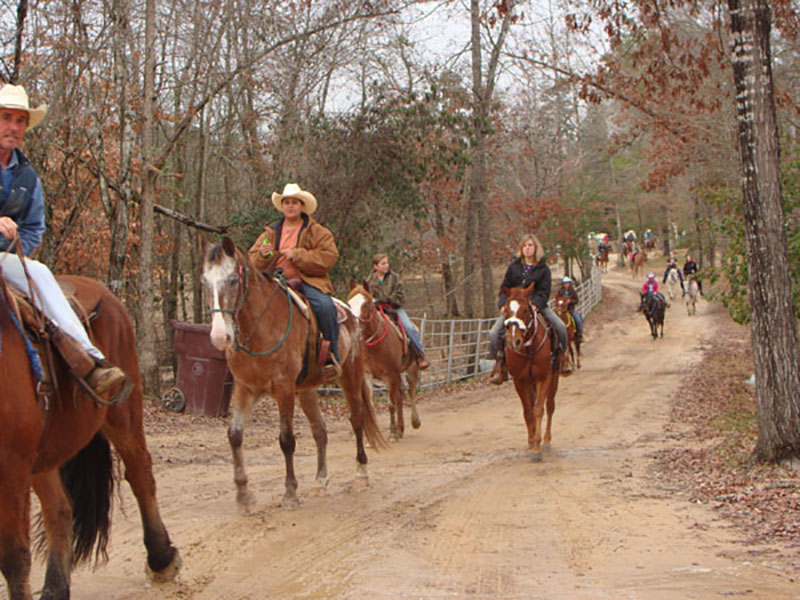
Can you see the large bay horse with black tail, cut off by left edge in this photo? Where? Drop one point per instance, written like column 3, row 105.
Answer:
column 60, row 449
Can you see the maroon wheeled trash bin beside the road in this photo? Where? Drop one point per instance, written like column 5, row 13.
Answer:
column 204, row 384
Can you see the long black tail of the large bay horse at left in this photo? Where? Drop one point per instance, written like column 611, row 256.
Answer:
column 89, row 480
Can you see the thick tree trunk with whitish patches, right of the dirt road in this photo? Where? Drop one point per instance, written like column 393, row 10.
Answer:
column 775, row 347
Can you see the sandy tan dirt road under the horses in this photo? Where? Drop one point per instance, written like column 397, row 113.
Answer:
column 456, row 509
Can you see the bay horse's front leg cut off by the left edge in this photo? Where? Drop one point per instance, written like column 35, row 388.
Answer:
column 15, row 542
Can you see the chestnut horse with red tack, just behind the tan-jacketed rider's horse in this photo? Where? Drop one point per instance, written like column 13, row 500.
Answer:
column 387, row 357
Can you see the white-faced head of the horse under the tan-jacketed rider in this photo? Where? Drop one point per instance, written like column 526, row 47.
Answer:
column 224, row 280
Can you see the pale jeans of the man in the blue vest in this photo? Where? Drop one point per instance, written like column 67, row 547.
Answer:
column 50, row 299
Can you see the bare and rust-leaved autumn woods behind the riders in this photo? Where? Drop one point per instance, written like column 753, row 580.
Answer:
column 438, row 132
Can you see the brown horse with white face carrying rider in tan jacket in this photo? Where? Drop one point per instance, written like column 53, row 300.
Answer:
column 267, row 345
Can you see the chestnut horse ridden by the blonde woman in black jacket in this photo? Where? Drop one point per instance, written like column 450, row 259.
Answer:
column 530, row 364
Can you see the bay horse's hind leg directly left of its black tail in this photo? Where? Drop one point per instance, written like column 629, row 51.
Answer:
column 57, row 519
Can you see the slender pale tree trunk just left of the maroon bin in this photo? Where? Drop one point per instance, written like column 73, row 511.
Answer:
column 148, row 359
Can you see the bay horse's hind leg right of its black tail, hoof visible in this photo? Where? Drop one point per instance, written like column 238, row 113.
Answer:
column 127, row 436
